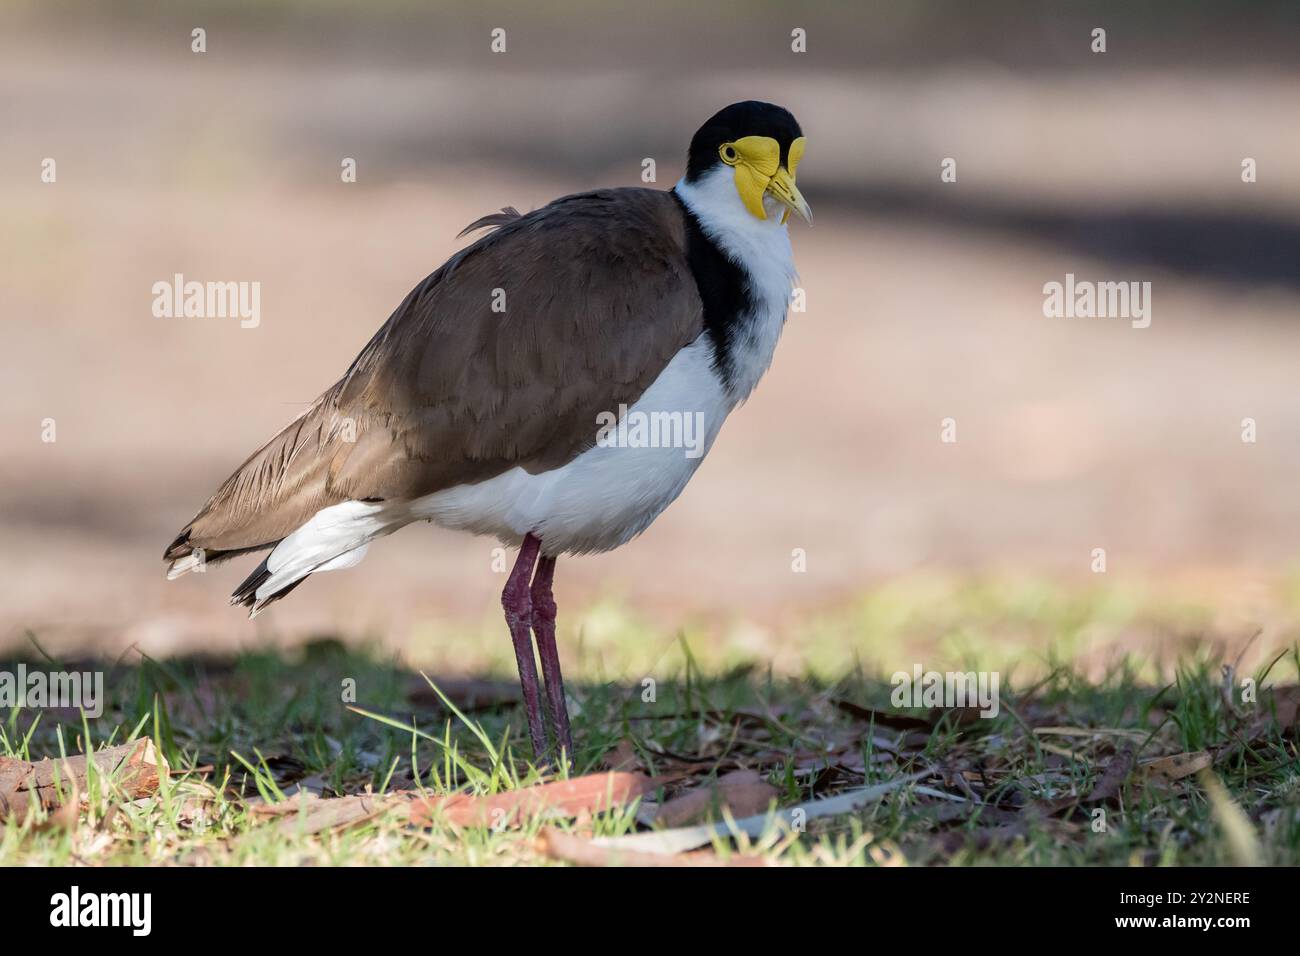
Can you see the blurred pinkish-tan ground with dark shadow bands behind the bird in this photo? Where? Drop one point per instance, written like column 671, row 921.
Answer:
column 925, row 299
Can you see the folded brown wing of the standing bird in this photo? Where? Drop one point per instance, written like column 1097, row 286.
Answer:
column 501, row 358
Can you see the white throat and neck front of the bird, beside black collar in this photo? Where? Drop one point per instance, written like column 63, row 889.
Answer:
column 762, row 250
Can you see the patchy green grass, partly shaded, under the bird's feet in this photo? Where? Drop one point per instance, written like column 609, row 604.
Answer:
column 1021, row 789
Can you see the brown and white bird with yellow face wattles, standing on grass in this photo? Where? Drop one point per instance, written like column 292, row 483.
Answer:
column 554, row 384
